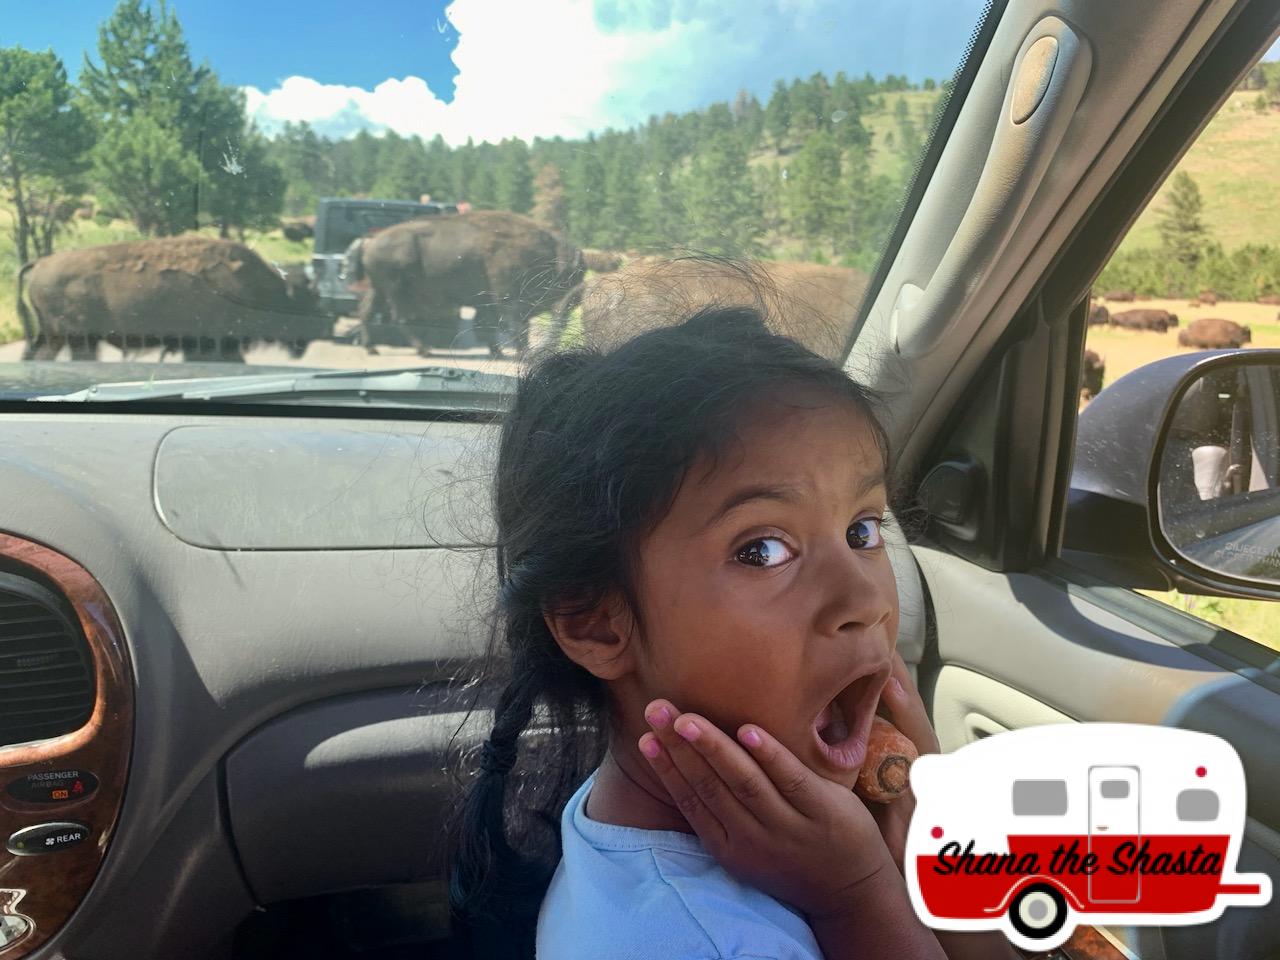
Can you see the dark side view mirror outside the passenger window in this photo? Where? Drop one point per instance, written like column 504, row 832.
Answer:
column 1177, row 477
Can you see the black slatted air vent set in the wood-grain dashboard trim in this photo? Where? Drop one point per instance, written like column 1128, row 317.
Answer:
column 47, row 678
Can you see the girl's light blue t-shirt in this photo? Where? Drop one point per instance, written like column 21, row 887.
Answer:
column 629, row 894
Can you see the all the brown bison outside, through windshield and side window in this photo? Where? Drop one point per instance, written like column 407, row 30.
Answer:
column 216, row 299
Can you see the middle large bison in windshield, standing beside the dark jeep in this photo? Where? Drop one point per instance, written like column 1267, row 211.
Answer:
column 504, row 266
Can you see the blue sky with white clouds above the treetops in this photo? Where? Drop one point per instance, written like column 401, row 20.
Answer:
column 496, row 68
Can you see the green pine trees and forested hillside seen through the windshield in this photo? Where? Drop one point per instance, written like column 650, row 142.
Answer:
column 163, row 144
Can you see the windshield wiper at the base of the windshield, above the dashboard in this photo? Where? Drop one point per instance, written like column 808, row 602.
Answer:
column 418, row 386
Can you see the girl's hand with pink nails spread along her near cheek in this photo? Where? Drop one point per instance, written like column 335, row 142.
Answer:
column 767, row 819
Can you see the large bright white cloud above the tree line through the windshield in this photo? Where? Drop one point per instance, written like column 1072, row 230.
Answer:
column 568, row 67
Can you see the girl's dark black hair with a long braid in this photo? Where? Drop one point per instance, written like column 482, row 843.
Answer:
column 591, row 458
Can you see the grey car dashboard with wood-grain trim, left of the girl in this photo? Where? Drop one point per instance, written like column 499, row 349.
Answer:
column 250, row 630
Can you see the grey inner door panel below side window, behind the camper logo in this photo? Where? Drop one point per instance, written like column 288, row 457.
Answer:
column 1020, row 650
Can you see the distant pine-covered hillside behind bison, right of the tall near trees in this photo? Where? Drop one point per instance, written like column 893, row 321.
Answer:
column 737, row 177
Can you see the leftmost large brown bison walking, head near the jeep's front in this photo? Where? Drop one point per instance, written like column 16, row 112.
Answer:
column 203, row 296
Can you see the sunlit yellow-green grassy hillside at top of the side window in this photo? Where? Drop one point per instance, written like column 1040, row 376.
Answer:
column 1236, row 163
